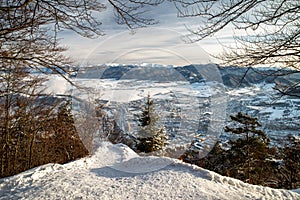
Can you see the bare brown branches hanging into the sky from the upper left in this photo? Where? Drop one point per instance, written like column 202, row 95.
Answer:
column 28, row 28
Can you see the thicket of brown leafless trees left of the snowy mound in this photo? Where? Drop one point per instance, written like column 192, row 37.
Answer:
column 35, row 128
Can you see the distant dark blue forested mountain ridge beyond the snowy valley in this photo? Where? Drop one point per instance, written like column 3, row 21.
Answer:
column 231, row 76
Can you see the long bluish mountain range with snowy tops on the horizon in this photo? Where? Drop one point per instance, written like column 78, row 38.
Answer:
column 231, row 76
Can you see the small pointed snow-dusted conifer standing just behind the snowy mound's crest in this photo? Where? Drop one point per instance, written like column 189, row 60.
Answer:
column 151, row 136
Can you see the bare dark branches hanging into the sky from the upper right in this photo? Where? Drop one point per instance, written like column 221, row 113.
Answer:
column 272, row 32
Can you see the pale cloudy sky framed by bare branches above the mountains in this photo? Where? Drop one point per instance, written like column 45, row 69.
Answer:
column 161, row 43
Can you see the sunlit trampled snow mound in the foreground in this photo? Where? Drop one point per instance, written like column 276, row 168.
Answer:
column 116, row 172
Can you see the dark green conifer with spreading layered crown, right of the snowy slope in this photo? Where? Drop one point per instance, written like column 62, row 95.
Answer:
column 248, row 154
